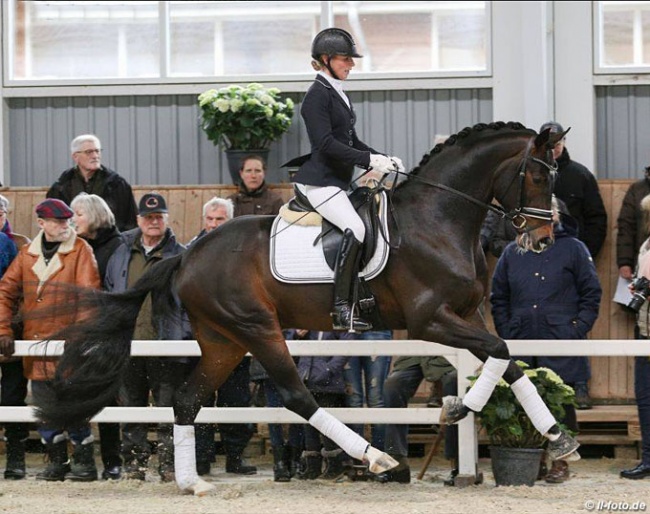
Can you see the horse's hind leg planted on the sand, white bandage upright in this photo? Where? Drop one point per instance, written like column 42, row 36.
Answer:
column 211, row 371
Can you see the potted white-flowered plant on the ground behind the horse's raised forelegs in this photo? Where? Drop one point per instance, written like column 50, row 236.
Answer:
column 511, row 434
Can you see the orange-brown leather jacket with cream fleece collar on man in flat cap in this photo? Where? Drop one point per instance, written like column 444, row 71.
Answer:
column 72, row 264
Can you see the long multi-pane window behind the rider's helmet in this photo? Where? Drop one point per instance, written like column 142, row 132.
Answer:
column 134, row 41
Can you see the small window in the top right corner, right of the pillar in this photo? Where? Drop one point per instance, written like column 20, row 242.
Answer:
column 622, row 37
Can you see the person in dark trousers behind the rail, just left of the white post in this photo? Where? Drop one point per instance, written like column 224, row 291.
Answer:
column 400, row 386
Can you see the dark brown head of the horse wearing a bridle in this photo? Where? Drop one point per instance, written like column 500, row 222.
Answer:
column 535, row 177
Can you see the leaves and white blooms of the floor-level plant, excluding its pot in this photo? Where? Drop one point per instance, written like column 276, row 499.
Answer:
column 504, row 419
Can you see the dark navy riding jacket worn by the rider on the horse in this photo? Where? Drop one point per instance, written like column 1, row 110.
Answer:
column 335, row 147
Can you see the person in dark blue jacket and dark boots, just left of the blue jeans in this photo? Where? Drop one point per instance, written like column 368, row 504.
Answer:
column 323, row 376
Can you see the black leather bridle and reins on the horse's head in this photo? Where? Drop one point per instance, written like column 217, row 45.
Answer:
column 517, row 216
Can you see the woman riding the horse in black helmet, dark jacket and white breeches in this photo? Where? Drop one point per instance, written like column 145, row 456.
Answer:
column 326, row 173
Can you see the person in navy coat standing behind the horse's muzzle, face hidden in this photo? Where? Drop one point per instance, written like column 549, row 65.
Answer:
column 551, row 295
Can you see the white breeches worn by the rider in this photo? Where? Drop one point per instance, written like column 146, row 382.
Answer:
column 333, row 204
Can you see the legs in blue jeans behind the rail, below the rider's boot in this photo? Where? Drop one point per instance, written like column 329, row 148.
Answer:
column 364, row 382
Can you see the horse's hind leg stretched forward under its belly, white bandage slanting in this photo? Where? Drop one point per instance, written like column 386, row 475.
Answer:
column 277, row 362
